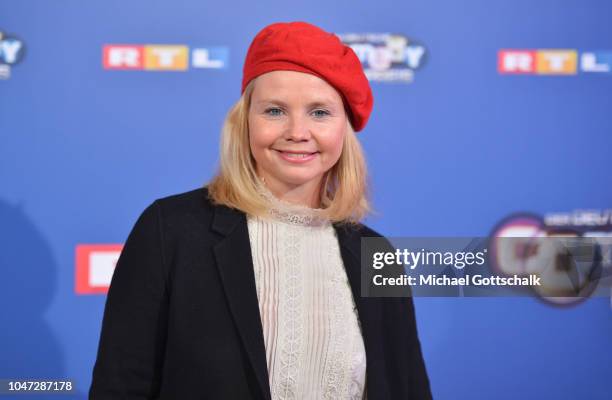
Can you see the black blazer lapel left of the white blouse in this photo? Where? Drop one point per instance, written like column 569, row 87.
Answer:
column 234, row 261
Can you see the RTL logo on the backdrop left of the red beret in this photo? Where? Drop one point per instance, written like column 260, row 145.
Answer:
column 162, row 57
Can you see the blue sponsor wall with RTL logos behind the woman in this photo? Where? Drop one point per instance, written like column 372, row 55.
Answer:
column 487, row 116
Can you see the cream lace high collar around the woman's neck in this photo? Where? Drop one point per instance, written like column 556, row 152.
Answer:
column 292, row 213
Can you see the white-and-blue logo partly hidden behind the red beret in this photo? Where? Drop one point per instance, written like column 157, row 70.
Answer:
column 386, row 57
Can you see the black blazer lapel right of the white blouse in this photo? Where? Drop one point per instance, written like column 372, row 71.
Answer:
column 369, row 310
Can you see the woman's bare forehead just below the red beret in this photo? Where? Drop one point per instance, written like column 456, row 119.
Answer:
column 292, row 84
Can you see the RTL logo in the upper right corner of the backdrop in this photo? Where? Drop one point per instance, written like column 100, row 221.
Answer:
column 553, row 62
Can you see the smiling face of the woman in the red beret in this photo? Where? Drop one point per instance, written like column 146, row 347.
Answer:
column 297, row 124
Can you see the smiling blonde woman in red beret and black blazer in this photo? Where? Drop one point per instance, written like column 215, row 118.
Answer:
column 248, row 288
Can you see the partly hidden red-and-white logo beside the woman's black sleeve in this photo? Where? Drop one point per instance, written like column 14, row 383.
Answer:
column 95, row 264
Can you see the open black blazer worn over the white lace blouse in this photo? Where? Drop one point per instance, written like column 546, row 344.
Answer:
column 181, row 319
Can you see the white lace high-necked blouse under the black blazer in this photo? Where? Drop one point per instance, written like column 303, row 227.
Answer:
column 312, row 334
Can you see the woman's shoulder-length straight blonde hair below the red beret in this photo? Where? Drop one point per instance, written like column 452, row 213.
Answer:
column 344, row 192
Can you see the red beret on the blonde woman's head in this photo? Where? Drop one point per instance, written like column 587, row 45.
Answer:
column 303, row 47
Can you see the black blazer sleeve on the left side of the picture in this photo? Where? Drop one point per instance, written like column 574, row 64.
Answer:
column 132, row 339
